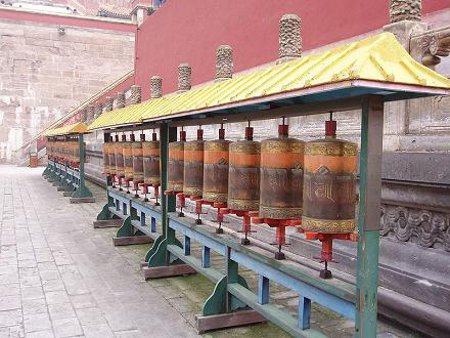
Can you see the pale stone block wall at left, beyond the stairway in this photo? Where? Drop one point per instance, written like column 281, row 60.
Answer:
column 46, row 71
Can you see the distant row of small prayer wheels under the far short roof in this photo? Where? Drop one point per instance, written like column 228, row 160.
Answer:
column 64, row 151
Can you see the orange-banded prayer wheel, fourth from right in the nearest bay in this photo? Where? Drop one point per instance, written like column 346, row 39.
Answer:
column 215, row 173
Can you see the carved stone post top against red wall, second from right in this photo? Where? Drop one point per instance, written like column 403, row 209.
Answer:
column 290, row 39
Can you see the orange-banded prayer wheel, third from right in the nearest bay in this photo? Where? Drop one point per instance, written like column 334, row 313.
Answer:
column 244, row 175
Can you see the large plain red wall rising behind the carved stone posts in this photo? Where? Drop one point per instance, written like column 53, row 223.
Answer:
column 190, row 30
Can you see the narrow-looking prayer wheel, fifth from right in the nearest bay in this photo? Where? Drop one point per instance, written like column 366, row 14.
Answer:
column 193, row 167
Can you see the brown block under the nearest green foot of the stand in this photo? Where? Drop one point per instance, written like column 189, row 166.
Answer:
column 222, row 321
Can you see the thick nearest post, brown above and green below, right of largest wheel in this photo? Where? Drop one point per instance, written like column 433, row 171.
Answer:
column 369, row 216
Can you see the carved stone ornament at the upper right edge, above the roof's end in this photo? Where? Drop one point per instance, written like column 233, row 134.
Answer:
column 434, row 46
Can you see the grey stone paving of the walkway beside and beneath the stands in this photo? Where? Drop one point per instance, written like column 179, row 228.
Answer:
column 61, row 278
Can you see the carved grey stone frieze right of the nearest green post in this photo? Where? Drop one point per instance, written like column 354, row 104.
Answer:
column 424, row 227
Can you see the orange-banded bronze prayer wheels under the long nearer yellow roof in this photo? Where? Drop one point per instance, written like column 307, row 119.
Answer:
column 280, row 178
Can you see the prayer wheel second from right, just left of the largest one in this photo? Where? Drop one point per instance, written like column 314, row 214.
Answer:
column 281, row 177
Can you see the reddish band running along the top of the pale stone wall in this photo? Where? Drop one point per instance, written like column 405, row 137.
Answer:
column 65, row 20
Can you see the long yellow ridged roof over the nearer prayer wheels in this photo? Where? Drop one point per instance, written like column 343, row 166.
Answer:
column 380, row 59
